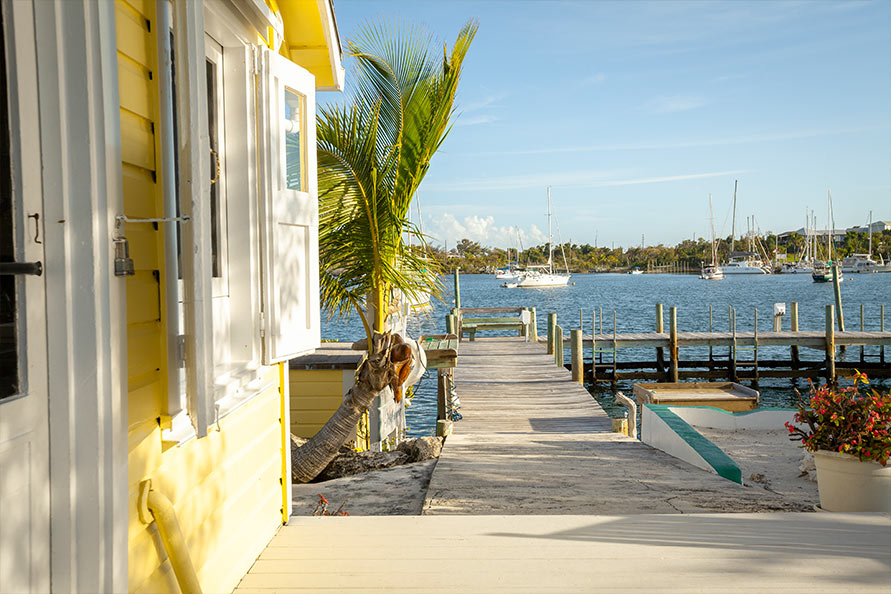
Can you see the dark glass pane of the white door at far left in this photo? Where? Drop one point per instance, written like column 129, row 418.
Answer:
column 9, row 346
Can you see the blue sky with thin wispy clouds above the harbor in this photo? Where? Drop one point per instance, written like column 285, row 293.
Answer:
column 634, row 112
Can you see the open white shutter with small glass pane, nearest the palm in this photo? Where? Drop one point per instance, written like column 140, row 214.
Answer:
column 289, row 210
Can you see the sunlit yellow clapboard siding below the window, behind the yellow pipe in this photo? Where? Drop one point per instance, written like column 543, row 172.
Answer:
column 225, row 488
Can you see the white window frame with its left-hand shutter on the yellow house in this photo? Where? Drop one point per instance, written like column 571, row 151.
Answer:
column 223, row 353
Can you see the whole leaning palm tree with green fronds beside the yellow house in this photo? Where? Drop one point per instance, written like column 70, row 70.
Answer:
column 373, row 153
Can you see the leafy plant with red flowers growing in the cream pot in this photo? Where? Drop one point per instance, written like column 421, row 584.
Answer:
column 853, row 420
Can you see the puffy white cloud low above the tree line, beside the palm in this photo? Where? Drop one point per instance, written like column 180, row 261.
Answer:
column 446, row 228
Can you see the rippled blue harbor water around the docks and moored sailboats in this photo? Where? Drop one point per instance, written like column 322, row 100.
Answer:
column 633, row 298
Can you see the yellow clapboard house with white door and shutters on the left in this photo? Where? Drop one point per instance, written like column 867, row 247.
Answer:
column 158, row 264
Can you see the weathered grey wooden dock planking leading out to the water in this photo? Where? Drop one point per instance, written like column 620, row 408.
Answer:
column 532, row 441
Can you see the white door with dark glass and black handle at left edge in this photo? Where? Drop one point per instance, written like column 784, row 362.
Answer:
column 24, row 435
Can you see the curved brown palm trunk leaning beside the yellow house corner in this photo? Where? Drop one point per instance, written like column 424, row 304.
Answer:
column 380, row 370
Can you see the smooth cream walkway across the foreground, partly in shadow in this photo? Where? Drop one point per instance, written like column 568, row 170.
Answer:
column 783, row 552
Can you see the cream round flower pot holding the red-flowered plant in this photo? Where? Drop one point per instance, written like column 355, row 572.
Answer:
column 847, row 484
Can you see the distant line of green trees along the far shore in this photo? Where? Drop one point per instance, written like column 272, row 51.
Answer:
column 472, row 257
